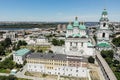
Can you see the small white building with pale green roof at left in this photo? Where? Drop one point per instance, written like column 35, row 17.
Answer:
column 19, row 56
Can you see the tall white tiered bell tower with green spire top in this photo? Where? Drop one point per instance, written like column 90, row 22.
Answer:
column 103, row 32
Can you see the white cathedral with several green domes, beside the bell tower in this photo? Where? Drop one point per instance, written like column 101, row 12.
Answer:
column 77, row 40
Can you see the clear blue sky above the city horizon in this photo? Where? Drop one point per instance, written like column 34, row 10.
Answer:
column 58, row 10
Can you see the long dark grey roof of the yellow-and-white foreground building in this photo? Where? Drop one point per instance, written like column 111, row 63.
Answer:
column 53, row 56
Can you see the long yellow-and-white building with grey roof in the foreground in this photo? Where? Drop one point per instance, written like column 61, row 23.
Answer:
column 57, row 64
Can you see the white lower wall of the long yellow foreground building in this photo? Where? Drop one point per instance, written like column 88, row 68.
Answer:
column 61, row 70
